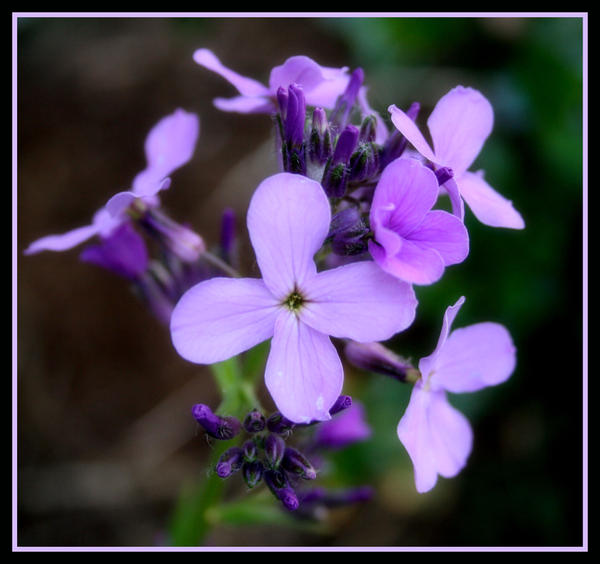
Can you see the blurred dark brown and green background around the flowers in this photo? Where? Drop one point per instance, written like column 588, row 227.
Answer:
column 105, row 436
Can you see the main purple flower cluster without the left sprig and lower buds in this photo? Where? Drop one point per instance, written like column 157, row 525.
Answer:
column 388, row 234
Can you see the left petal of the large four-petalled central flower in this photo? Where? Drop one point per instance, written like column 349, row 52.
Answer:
column 222, row 317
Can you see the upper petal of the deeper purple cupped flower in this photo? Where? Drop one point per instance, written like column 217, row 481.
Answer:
column 405, row 192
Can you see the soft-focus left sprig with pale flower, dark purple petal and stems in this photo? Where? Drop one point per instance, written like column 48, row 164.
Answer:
column 121, row 248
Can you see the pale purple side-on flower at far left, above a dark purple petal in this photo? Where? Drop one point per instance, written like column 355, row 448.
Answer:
column 169, row 145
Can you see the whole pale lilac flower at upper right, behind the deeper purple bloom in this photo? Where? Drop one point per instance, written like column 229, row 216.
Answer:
column 459, row 125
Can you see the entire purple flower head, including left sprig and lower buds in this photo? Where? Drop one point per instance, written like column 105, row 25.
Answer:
column 352, row 221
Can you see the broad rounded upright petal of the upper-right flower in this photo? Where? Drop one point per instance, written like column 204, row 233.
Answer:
column 459, row 124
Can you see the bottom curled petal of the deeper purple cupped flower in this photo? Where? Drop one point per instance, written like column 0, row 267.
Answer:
column 412, row 263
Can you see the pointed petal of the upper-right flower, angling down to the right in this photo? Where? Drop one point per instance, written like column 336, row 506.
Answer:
column 488, row 205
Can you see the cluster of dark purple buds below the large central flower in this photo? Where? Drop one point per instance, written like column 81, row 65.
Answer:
column 266, row 455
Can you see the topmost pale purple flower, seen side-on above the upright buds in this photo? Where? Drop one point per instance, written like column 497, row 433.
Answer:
column 321, row 85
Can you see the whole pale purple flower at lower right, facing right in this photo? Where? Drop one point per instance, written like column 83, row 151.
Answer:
column 438, row 438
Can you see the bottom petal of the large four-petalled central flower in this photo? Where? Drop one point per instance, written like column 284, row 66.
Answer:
column 304, row 373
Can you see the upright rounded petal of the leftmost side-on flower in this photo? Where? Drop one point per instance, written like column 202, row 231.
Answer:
column 169, row 145
